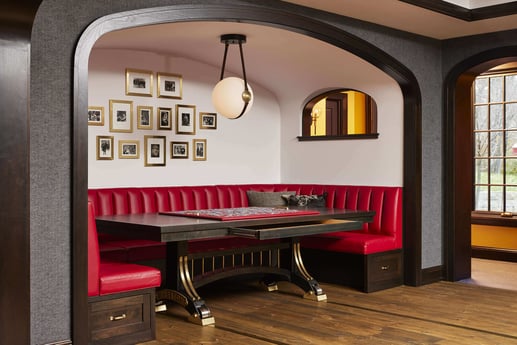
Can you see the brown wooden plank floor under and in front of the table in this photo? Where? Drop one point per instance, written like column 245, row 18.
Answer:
column 439, row 313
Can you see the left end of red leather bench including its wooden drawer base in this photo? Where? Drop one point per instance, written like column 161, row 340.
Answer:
column 120, row 296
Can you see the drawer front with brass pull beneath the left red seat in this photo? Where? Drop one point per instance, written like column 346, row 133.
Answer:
column 119, row 316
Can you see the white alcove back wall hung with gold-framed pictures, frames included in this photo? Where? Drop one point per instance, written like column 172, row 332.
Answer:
column 177, row 106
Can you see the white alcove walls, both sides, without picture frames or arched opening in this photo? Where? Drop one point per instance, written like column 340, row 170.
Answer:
column 260, row 147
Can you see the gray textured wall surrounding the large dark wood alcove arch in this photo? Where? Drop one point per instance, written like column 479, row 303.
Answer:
column 58, row 26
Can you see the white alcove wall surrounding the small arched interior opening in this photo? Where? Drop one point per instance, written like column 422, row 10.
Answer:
column 358, row 162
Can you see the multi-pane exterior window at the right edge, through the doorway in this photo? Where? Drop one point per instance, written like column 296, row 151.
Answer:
column 495, row 142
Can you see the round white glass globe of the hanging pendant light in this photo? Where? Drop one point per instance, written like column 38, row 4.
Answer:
column 227, row 97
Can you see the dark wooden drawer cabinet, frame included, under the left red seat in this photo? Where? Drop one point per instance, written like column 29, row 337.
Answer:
column 122, row 318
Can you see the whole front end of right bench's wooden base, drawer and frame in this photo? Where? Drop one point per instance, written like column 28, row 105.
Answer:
column 383, row 270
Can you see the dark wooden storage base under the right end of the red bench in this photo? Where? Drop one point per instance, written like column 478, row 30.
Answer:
column 368, row 273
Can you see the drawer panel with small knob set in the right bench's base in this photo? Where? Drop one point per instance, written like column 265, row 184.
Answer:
column 385, row 267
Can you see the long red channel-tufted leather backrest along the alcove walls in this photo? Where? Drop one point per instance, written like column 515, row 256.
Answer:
column 385, row 201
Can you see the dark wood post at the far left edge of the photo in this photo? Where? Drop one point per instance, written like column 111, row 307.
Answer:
column 15, row 286
